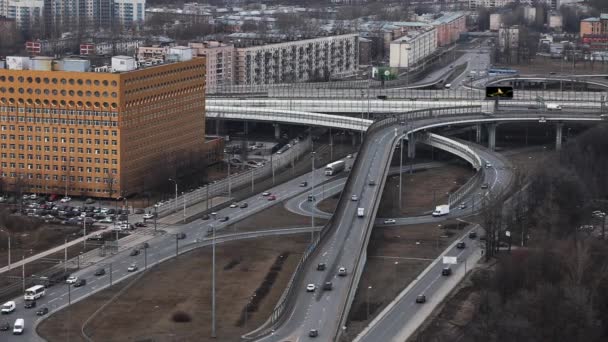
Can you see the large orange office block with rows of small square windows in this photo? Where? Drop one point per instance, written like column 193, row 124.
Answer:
column 99, row 134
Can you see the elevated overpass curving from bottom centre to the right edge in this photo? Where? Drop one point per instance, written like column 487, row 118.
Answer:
column 343, row 241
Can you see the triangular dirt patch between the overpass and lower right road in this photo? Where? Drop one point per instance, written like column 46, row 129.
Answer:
column 396, row 256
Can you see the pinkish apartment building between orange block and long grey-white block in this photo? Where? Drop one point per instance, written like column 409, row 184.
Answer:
column 220, row 62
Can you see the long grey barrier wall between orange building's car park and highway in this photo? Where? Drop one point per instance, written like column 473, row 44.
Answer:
column 236, row 180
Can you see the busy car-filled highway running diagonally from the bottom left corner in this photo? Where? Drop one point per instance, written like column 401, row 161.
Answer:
column 160, row 248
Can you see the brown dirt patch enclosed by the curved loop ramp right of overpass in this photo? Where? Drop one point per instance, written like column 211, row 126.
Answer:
column 423, row 190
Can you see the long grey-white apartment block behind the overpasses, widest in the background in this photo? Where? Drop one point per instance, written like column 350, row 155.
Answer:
column 319, row 59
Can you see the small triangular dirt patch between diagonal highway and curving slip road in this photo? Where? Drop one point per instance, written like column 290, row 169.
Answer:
column 272, row 218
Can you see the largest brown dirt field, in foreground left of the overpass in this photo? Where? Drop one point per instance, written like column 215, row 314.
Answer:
column 145, row 311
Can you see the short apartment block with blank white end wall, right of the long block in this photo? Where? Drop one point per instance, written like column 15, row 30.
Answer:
column 408, row 50
